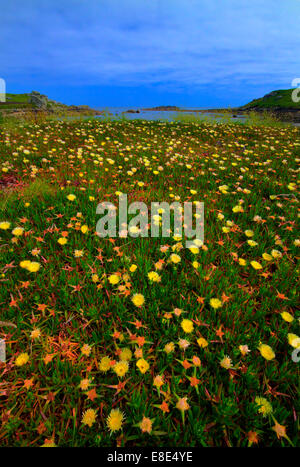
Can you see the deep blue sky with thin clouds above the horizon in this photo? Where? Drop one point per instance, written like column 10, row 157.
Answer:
column 192, row 53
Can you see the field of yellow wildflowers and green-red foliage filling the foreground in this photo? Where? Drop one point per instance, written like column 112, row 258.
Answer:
column 141, row 341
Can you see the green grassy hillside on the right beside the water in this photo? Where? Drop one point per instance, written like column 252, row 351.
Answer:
column 275, row 100
